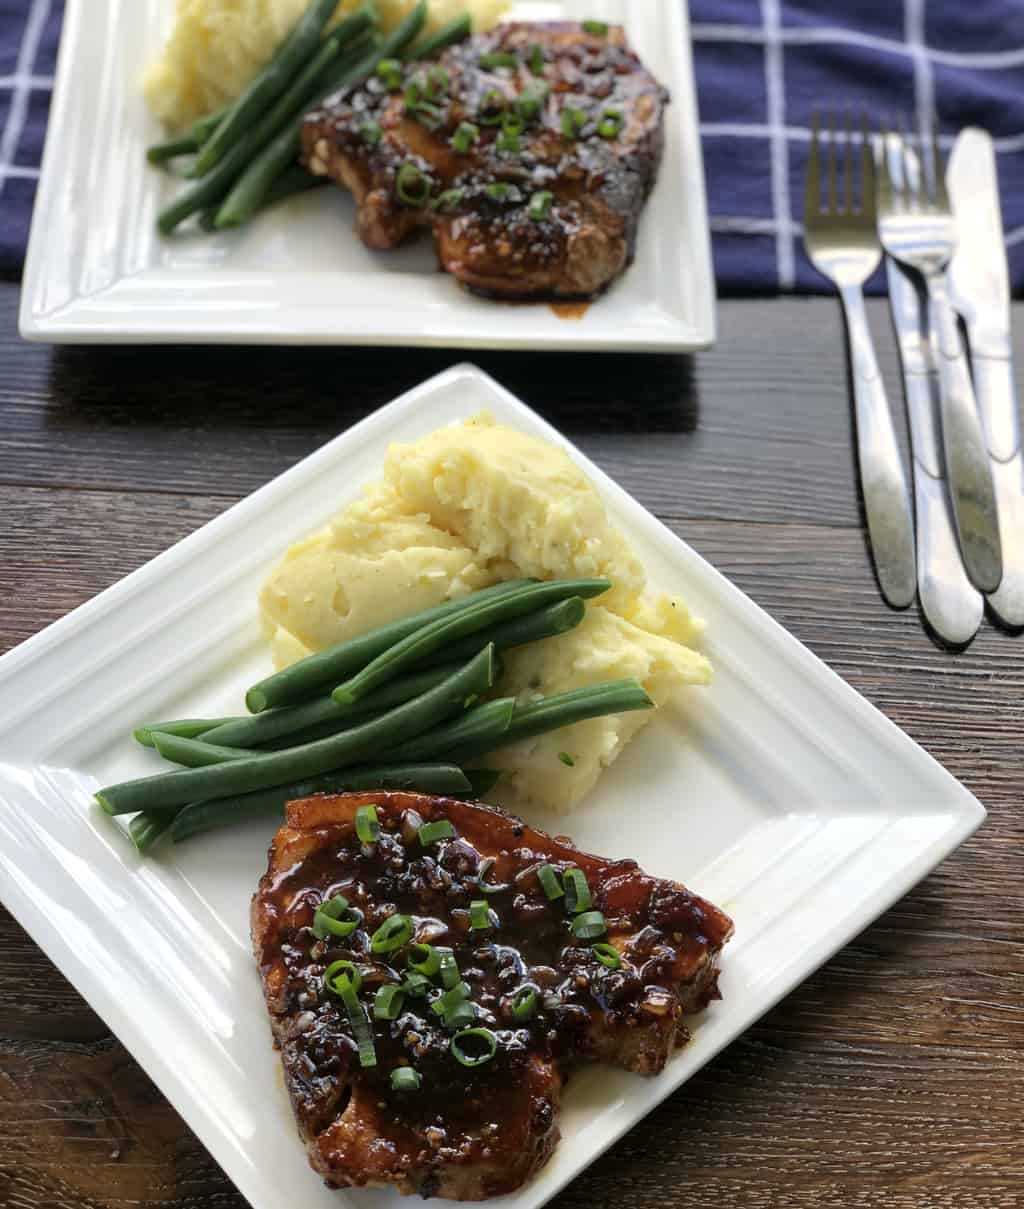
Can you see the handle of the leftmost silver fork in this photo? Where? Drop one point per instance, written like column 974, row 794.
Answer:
column 883, row 482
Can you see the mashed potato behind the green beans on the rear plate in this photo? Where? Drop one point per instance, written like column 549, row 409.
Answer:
column 217, row 47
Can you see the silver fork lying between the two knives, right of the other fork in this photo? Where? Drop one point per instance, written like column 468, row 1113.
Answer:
column 917, row 228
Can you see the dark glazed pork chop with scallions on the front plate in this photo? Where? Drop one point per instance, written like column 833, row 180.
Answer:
column 548, row 985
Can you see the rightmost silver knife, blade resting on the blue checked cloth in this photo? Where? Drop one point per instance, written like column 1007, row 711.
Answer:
column 980, row 291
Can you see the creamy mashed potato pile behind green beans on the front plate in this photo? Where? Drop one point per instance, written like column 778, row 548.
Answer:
column 466, row 507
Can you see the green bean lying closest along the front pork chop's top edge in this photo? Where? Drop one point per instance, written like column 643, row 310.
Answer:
column 204, row 817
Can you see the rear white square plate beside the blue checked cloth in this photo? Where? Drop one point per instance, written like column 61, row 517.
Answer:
column 99, row 271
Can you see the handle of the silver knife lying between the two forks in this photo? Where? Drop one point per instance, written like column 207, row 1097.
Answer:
column 950, row 601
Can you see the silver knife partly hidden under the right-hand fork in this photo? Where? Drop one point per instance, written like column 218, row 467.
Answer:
column 951, row 603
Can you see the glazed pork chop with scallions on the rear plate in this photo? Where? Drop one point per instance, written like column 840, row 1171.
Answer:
column 530, row 152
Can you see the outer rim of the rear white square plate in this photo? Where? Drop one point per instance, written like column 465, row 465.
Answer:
column 82, row 320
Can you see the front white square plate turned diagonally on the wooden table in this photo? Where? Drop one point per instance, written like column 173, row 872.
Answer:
column 779, row 794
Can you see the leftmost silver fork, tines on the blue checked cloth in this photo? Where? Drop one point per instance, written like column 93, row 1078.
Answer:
column 843, row 246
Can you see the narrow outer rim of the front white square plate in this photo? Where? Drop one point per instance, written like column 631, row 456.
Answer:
column 965, row 809
